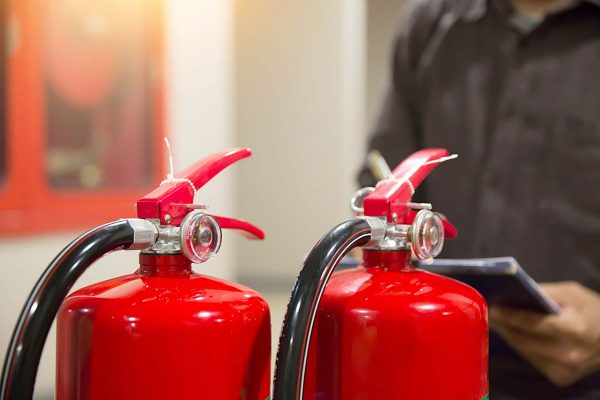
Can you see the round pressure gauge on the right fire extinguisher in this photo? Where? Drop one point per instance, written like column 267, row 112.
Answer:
column 427, row 234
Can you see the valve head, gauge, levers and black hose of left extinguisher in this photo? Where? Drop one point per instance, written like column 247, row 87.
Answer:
column 168, row 223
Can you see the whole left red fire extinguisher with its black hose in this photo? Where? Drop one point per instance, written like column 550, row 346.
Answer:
column 163, row 332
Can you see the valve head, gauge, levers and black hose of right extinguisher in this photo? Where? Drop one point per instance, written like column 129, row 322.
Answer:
column 387, row 220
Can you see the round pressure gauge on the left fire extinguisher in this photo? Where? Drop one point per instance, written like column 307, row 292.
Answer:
column 200, row 236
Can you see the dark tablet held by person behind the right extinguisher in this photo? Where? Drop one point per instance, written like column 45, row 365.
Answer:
column 501, row 281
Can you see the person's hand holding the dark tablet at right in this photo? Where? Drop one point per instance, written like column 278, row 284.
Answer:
column 564, row 347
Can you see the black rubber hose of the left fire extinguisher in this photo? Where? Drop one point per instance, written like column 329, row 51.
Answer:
column 27, row 342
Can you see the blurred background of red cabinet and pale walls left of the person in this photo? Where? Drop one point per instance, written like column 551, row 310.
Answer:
column 91, row 87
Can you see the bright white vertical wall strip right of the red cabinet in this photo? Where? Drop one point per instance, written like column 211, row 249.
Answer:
column 200, row 106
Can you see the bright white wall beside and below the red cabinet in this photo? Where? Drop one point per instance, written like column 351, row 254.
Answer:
column 199, row 67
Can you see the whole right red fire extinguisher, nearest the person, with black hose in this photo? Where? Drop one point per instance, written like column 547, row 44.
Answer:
column 384, row 330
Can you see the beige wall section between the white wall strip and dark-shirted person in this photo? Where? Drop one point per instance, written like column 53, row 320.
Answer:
column 300, row 106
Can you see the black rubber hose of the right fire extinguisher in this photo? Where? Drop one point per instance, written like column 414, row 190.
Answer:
column 294, row 341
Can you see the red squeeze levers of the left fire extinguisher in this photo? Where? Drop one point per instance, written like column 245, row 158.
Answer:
column 173, row 199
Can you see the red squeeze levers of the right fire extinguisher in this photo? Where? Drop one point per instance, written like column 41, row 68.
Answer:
column 392, row 197
